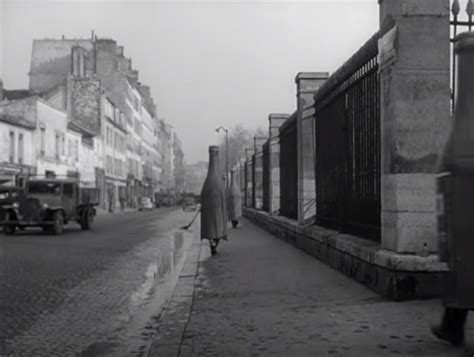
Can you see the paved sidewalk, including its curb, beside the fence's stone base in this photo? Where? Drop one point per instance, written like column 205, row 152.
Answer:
column 262, row 297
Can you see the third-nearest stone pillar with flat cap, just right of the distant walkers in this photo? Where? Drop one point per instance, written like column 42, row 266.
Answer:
column 274, row 156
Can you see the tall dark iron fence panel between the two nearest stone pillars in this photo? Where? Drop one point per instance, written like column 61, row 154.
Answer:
column 347, row 133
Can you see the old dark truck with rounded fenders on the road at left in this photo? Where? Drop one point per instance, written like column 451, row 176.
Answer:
column 49, row 203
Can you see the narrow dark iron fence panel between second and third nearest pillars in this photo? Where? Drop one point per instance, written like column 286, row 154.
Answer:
column 289, row 168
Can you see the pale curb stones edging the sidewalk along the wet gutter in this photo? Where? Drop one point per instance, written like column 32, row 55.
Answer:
column 170, row 333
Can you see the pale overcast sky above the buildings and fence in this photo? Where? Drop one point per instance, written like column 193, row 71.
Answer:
column 208, row 63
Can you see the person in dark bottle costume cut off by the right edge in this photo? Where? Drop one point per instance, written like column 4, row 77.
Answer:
column 456, row 225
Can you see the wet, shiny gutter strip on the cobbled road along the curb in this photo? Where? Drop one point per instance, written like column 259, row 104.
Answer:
column 147, row 302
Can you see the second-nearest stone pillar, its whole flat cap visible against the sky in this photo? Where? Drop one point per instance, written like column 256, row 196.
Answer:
column 307, row 83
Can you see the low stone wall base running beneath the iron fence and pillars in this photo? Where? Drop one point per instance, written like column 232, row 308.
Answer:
column 395, row 276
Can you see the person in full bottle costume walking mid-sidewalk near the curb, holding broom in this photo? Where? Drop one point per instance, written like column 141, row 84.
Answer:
column 213, row 204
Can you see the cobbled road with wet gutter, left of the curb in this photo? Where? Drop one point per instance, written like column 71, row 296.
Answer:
column 97, row 293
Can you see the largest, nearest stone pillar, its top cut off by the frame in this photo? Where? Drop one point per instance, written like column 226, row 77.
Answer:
column 414, row 60
